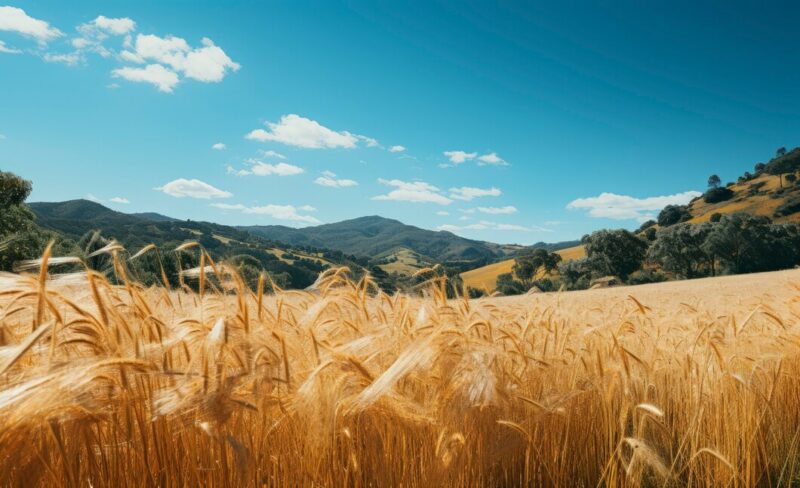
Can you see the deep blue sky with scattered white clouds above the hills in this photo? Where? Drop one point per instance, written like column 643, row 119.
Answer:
column 512, row 122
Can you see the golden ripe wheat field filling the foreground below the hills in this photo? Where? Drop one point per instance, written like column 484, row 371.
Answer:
column 678, row 384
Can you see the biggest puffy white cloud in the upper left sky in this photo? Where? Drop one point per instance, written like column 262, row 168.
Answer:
column 208, row 64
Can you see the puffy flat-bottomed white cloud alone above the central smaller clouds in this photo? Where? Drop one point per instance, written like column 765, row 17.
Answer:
column 294, row 130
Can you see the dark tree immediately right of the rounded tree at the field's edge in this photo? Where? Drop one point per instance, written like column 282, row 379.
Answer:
column 679, row 249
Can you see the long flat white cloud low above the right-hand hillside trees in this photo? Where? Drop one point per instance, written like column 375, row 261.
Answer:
column 623, row 207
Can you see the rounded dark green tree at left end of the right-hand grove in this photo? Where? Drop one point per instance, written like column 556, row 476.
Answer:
column 615, row 252
